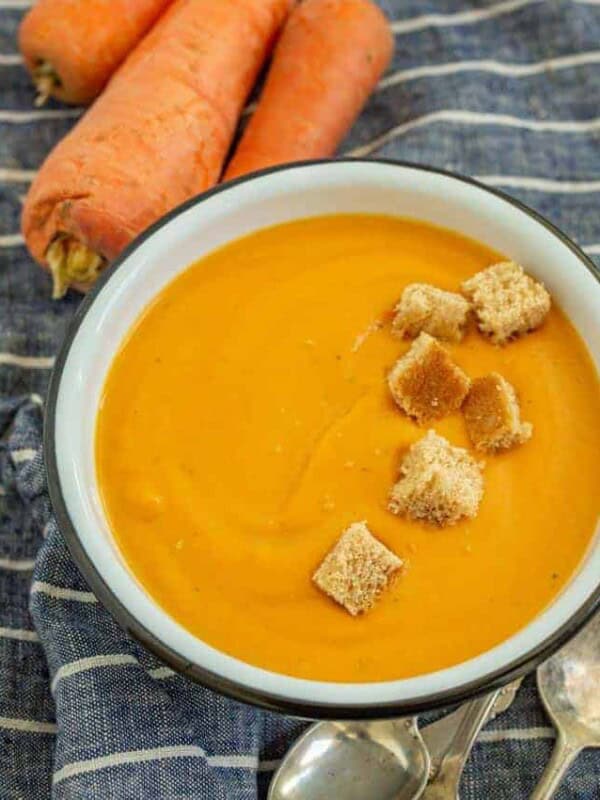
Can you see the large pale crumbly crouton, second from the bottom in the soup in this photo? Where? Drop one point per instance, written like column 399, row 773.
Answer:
column 440, row 484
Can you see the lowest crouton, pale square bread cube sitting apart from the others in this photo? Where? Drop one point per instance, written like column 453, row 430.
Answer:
column 357, row 569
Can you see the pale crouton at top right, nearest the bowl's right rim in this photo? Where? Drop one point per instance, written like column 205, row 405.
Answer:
column 507, row 301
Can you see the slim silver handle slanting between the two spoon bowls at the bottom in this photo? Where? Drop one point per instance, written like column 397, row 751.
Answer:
column 445, row 784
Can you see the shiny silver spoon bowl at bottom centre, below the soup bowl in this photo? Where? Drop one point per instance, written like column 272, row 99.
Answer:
column 379, row 760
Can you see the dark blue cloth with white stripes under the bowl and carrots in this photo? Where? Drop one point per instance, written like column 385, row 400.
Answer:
column 507, row 91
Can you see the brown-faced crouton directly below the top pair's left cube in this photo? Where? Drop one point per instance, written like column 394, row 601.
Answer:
column 426, row 383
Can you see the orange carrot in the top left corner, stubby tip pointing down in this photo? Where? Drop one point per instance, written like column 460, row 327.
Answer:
column 72, row 47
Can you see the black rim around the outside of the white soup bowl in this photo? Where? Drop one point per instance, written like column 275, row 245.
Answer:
column 238, row 691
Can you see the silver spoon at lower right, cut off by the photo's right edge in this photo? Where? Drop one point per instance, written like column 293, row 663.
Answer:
column 569, row 685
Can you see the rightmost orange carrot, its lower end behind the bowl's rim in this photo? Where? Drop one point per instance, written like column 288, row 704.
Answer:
column 329, row 58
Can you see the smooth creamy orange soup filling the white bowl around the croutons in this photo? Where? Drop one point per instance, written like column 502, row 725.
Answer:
column 246, row 423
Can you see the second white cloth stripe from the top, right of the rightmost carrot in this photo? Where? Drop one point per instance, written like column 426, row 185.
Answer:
column 489, row 65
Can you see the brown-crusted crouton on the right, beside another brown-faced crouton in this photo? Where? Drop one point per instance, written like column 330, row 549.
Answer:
column 493, row 415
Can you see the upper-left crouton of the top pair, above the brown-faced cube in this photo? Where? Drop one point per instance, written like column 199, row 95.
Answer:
column 426, row 308
